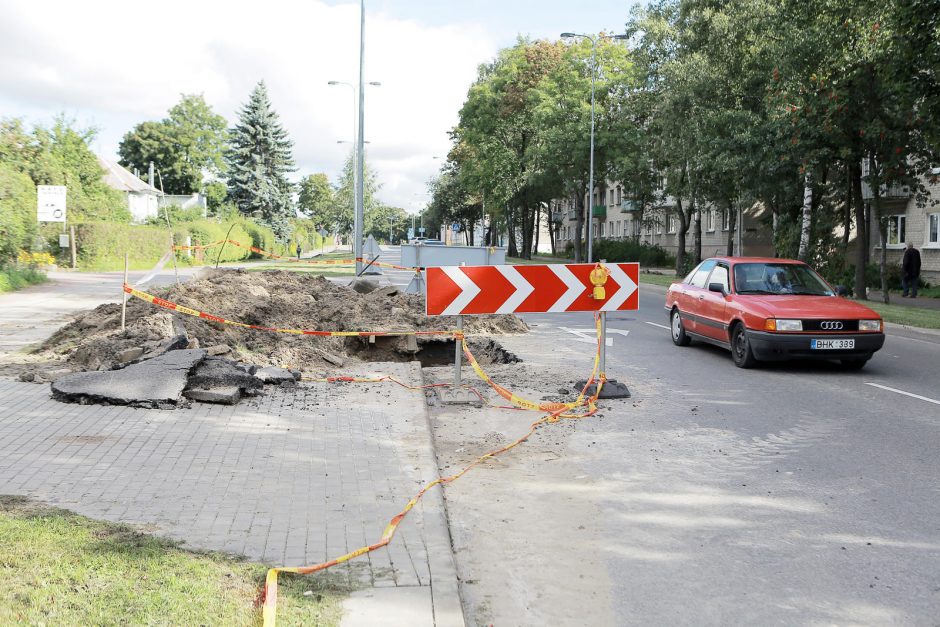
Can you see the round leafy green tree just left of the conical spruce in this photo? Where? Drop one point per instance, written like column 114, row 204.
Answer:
column 185, row 147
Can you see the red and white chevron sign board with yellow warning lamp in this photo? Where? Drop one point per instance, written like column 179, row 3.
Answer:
column 462, row 290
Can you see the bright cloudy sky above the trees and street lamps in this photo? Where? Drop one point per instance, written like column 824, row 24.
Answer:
column 113, row 64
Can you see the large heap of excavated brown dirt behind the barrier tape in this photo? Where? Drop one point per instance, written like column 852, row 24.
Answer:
column 280, row 299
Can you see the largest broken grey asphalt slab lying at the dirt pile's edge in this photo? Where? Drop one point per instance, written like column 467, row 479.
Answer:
column 156, row 383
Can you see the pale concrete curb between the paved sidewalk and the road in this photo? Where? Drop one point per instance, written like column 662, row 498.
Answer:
column 445, row 590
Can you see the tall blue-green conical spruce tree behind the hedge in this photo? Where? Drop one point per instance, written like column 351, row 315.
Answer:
column 259, row 159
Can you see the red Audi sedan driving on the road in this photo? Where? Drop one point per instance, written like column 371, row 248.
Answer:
column 766, row 309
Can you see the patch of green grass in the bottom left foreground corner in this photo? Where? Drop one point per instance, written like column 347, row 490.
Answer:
column 59, row 568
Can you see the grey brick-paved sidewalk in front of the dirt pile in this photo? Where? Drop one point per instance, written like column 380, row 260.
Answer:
column 292, row 478
